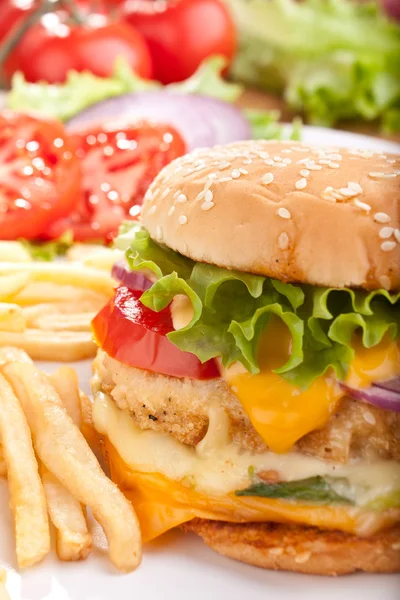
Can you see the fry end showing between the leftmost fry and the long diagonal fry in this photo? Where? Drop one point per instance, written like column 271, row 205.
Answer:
column 73, row 540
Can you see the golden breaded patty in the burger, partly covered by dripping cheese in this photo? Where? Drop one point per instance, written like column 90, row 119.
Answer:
column 180, row 407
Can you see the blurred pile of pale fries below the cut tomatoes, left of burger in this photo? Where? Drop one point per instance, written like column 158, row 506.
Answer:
column 46, row 308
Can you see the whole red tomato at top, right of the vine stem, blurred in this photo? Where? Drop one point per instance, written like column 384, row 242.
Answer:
column 181, row 34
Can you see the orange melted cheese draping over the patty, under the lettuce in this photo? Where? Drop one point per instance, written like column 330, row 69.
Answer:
column 282, row 413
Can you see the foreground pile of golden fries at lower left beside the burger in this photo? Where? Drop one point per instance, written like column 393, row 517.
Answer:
column 52, row 473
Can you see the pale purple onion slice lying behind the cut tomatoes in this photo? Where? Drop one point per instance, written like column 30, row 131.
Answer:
column 202, row 121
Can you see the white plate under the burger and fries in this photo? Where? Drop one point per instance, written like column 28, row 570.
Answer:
column 181, row 566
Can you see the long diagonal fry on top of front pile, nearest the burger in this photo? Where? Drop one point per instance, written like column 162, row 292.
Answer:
column 65, row 452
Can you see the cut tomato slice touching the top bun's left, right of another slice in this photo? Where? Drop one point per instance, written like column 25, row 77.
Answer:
column 118, row 165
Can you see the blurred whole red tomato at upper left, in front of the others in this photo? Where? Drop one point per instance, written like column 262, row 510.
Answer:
column 53, row 46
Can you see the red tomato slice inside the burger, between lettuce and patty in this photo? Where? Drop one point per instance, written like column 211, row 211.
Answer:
column 136, row 336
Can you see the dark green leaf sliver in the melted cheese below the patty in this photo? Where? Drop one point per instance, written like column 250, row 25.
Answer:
column 314, row 489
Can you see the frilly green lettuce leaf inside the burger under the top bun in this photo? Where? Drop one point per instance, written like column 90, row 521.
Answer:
column 232, row 310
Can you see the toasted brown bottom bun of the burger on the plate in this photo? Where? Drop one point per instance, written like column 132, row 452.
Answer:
column 300, row 548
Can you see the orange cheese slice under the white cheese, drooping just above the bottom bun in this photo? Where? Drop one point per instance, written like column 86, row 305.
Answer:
column 162, row 504
